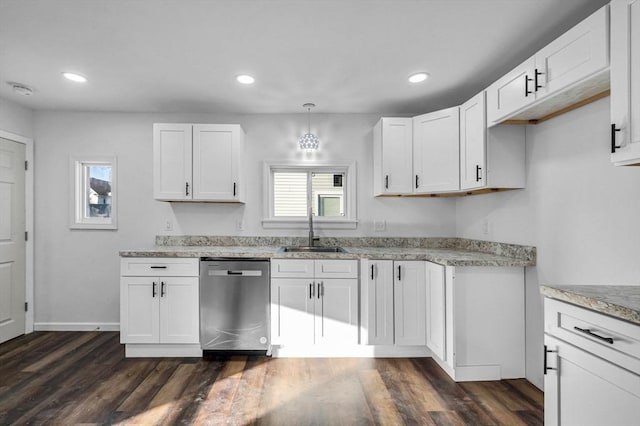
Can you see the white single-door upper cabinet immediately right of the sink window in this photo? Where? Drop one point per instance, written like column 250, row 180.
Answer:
column 392, row 154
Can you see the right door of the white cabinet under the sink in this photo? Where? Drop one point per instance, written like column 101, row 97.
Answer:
column 336, row 311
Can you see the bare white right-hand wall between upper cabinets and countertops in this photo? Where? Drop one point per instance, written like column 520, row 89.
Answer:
column 578, row 210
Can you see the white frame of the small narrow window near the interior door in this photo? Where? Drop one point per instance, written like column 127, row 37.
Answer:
column 79, row 193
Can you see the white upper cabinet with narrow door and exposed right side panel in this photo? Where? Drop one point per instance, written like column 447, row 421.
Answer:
column 490, row 159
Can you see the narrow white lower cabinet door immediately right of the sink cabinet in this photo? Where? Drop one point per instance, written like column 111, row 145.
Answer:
column 379, row 302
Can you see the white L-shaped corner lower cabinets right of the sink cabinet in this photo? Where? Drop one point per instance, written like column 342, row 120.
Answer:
column 471, row 319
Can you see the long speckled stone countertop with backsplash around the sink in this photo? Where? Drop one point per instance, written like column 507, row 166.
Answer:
column 445, row 251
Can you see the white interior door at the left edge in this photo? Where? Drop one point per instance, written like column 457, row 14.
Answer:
column 12, row 244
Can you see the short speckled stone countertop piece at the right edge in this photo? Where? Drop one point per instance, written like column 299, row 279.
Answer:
column 620, row 301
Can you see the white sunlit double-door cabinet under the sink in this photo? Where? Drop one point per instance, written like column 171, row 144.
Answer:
column 314, row 302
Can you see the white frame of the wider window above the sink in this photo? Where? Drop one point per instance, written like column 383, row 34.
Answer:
column 348, row 221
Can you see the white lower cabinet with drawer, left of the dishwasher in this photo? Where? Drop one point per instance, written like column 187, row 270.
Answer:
column 159, row 313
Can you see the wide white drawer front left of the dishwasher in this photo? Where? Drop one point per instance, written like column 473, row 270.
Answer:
column 159, row 267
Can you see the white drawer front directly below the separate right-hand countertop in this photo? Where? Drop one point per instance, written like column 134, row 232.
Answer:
column 619, row 341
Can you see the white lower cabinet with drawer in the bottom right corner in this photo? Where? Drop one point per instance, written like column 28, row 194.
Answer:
column 590, row 380
